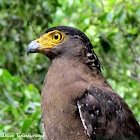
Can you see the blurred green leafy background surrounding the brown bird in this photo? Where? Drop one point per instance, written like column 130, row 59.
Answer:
column 113, row 28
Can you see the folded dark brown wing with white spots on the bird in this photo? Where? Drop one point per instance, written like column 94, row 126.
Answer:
column 103, row 116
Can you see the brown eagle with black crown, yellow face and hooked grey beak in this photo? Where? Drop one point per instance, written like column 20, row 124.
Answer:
column 77, row 102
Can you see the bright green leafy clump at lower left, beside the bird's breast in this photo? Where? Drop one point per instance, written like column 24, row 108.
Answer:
column 19, row 105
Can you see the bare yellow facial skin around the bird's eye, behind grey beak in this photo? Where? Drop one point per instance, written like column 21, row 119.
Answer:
column 51, row 39
